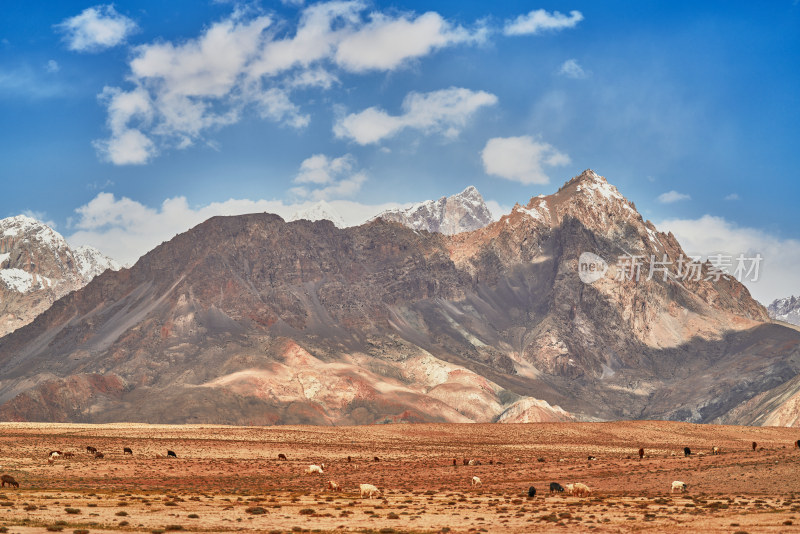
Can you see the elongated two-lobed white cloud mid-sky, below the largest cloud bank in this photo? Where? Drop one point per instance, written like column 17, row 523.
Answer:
column 445, row 111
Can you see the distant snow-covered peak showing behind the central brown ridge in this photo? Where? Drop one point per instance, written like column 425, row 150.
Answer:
column 463, row 212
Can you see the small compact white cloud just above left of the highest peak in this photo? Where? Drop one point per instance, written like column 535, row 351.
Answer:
column 521, row 159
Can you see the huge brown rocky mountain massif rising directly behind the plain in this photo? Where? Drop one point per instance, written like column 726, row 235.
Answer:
column 253, row 320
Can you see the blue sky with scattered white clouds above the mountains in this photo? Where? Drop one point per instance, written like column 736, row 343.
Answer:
column 126, row 123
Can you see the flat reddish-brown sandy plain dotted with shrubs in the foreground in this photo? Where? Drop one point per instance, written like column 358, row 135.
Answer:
column 230, row 479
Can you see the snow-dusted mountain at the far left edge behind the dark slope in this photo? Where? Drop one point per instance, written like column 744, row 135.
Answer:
column 37, row 267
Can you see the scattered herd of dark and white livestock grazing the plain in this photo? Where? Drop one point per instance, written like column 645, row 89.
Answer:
column 370, row 491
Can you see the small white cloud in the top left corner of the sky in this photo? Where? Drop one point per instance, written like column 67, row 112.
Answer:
column 96, row 28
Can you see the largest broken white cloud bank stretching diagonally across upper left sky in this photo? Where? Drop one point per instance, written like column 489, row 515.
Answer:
column 249, row 62
